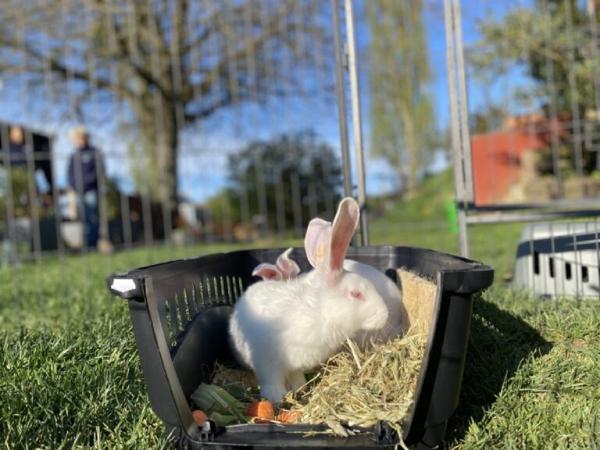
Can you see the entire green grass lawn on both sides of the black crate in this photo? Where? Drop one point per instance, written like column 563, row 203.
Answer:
column 69, row 374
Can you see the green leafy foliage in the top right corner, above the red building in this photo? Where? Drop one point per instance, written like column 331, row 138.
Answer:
column 552, row 39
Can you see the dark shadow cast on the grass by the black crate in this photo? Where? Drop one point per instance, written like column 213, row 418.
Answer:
column 498, row 343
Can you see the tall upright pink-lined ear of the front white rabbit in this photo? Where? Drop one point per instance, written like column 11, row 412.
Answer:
column 344, row 224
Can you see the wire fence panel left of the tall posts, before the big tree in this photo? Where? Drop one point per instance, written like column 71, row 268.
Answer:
column 233, row 103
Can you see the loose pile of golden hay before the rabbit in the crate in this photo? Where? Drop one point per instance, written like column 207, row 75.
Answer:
column 362, row 388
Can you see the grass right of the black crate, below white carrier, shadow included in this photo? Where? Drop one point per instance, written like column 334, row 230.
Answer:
column 532, row 378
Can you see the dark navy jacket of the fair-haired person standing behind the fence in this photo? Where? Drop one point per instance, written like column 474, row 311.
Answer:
column 85, row 170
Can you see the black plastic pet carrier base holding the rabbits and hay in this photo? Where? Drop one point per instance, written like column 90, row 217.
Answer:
column 180, row 312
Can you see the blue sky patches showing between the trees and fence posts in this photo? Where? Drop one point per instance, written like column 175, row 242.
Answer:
column 207, row 146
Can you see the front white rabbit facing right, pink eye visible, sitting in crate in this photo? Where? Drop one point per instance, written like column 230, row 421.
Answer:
column 282, row 329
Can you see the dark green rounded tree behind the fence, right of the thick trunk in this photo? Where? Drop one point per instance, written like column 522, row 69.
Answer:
column 285, row 179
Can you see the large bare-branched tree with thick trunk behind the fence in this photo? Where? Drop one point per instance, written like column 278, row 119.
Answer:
column 171, row 64
